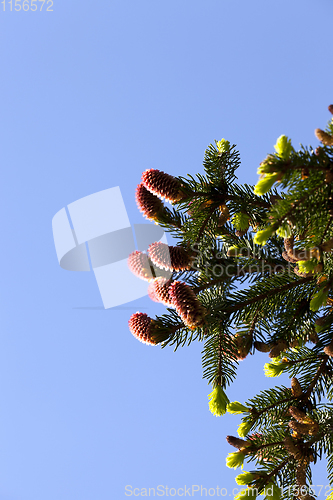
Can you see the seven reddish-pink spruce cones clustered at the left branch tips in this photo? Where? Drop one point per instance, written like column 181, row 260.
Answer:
column 156, row 266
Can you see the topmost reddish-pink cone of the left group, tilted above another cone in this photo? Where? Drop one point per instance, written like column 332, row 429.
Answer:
column 163, row 185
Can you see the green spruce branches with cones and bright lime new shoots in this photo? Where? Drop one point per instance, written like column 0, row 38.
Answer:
column 276, row 240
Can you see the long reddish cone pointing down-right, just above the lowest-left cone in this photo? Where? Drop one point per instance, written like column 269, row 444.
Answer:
column 187, row 305
